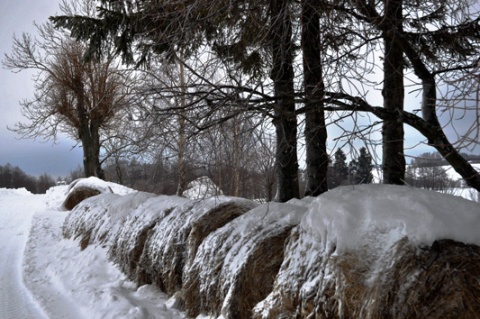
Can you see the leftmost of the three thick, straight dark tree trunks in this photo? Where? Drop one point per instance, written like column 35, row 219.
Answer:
column 285, row 119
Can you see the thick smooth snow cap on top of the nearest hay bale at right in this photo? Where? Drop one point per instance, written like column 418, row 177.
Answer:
column 354, row 216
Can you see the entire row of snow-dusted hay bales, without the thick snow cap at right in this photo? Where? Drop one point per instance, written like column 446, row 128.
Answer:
column 231, row 257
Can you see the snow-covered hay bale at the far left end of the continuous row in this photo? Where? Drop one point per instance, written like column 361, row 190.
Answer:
column 94, row 218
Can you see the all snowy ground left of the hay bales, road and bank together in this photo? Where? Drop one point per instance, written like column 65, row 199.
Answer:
column 43, row 275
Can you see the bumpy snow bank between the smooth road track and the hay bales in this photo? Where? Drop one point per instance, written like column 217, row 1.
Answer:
column 78, row 285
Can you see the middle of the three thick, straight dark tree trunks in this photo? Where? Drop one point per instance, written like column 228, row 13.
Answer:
column 315, row 129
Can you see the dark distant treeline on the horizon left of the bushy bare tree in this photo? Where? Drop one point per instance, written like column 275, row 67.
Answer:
column 14, row 177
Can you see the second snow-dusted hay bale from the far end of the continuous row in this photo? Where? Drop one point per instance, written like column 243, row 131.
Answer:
column 128, row 241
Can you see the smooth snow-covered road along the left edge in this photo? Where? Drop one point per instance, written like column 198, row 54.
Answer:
column 16, row 301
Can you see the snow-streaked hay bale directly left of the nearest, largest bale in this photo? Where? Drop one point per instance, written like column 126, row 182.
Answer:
column 235, row 266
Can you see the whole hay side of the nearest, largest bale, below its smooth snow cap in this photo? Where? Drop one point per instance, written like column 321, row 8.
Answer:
column 438, row 281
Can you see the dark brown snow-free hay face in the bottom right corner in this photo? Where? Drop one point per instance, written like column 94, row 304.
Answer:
column 440, row 281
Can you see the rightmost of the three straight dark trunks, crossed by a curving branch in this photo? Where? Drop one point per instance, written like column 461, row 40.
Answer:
column 393, row 99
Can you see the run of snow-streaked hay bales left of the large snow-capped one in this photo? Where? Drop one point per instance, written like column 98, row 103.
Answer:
column 220, row 253
